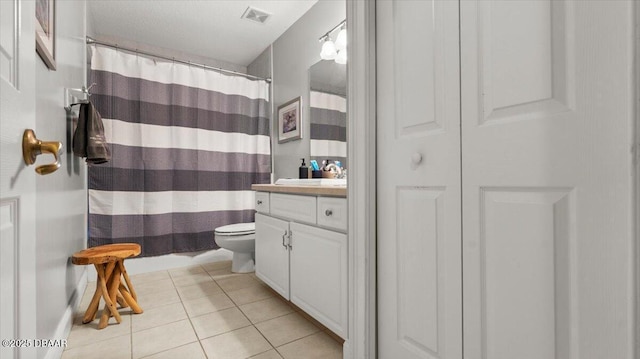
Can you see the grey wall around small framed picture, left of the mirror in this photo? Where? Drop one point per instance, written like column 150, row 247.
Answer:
column 293, row 53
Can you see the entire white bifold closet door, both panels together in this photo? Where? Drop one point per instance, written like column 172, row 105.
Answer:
column 505, row 179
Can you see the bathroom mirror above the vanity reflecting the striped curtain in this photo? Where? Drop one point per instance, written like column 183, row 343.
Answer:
column 328, row 111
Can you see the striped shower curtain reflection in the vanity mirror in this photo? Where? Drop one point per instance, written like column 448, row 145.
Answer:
column 328, row 138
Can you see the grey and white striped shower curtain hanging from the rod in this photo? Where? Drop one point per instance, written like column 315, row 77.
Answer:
column 186, row 144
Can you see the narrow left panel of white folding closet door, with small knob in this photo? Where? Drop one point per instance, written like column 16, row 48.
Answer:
column 418, row 119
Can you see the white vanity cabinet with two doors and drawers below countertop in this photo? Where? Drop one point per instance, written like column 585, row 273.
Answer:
column 303, row 262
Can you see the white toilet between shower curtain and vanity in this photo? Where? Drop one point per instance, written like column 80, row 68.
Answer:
column 240, row 238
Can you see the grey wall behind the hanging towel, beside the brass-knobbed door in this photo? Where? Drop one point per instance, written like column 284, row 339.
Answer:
column 61, row 196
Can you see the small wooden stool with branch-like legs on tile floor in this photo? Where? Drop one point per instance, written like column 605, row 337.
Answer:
column 109, row 263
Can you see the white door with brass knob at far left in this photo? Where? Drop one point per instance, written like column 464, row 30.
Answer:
column 17, row 182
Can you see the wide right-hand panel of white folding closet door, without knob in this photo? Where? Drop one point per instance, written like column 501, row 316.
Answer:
column 546, row 176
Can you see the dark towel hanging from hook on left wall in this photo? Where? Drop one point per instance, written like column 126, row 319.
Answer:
column 88, row 139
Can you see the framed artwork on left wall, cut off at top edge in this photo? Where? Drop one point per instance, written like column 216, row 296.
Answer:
column 46, row 32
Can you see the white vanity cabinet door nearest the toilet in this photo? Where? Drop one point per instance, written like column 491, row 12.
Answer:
column 272, row 253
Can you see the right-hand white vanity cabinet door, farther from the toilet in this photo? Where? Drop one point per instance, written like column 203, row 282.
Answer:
column 319, row 275
